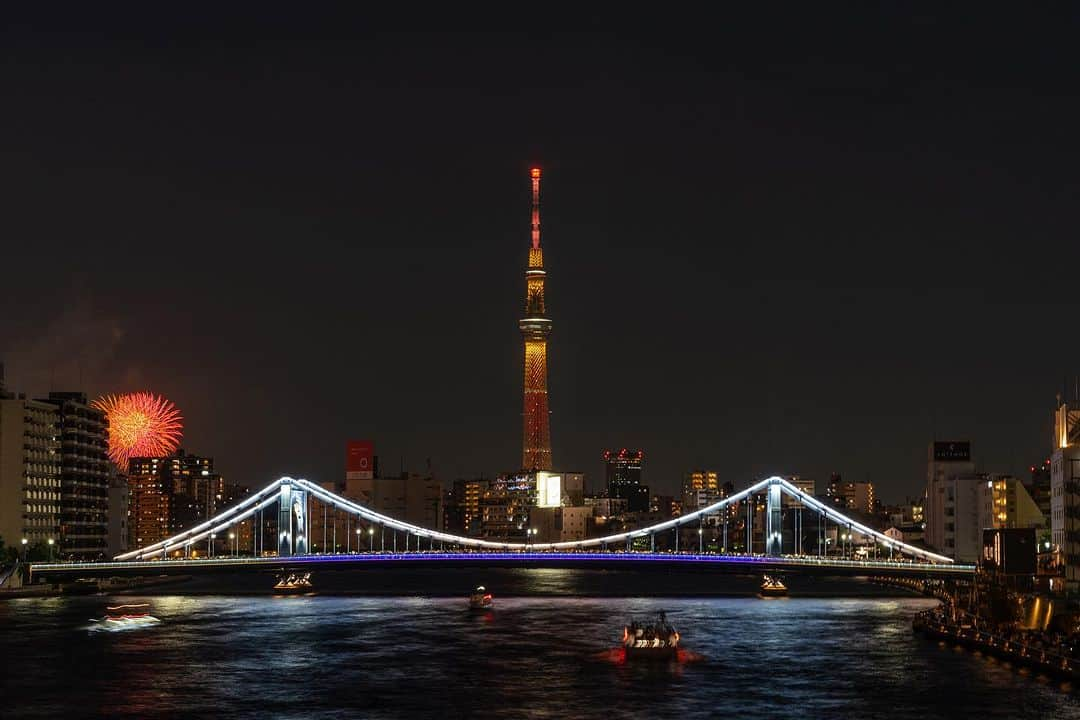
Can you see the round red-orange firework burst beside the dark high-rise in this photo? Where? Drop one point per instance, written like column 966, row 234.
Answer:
column 141, row 426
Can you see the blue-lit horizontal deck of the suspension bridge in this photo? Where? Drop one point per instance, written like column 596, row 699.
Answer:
column 612, row 560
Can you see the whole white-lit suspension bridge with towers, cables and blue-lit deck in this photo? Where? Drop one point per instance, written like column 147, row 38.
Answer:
column 416, row 546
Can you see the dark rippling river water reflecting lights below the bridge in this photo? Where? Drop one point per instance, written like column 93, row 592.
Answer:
column 330, row 657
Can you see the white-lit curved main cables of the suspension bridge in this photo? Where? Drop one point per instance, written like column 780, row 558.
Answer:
column 269, row 496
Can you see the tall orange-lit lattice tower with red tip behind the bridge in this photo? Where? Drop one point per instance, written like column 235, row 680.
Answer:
column 536, row 328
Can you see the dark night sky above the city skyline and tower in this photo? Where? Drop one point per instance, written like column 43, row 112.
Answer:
column 799, row 241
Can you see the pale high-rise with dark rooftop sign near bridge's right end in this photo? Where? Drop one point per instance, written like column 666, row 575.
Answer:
column 954, row 506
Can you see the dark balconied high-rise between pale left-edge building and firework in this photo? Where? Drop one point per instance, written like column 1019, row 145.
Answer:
column 85, row 478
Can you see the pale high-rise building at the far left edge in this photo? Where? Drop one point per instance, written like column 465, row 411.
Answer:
column 31, row 493
